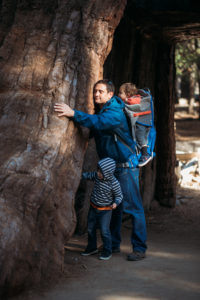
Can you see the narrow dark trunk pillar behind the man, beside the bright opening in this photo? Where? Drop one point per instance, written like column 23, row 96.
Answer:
column 165, row 98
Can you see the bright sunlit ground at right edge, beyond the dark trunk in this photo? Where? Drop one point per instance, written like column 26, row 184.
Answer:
column 187, row 132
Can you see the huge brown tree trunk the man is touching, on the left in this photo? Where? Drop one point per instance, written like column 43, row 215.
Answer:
column 51, row 51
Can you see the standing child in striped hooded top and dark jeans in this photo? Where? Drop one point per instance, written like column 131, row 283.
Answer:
column 105, row 197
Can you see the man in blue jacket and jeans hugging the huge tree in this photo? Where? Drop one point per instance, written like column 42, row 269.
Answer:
column 113, row 139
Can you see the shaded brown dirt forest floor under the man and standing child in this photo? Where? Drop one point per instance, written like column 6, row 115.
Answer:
column 171, row 270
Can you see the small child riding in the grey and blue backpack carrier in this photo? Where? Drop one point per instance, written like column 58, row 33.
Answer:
column 138, row 108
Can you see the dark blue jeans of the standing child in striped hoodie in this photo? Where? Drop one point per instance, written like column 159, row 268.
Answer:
column 101, row 218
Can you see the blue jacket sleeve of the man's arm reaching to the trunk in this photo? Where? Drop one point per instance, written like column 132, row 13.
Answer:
column 108, row 119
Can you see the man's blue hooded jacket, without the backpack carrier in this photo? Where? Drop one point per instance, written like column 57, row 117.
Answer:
column 111, row 131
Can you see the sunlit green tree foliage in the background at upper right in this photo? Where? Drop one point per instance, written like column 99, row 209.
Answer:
column 187, row 58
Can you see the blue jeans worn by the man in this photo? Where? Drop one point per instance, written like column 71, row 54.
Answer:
column 132, row 204
